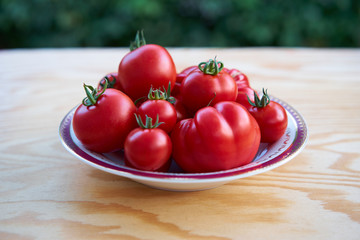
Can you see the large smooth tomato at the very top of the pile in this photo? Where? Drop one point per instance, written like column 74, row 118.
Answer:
column 145, row 66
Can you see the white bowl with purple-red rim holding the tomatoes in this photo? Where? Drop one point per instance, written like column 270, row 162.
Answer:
column 269, row 157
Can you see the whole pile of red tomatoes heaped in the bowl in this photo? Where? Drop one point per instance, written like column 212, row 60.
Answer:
column 206, row 118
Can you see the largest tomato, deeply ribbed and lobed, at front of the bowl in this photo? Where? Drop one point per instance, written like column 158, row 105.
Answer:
column 218, row 138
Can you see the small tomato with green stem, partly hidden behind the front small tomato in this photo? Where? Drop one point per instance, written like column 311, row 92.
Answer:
column 158, row 104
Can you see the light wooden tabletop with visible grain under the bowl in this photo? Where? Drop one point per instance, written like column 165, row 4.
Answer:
column 46, row 193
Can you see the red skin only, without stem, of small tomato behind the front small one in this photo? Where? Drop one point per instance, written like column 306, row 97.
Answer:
column 164, row 109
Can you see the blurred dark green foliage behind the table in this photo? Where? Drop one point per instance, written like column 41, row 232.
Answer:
column 215, row 23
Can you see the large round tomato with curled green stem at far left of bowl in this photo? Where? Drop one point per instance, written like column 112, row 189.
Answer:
column 104, row 119
